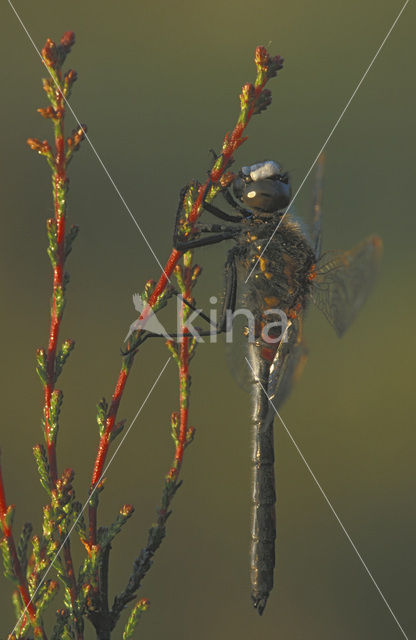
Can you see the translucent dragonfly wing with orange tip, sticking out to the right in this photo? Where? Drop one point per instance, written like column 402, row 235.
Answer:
column 343, row 284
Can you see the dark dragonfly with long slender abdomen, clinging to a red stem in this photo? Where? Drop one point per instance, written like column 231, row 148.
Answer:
column 276, row 262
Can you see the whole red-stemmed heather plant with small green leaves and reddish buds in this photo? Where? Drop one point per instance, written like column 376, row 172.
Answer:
column 84, row 595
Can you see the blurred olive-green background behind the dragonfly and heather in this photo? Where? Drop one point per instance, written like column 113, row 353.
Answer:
column 158, row 87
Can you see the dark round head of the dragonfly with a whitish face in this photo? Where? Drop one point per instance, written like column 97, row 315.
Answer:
column 263, row 187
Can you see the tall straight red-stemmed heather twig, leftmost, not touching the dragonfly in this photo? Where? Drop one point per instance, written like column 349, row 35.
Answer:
column 50, row 363
